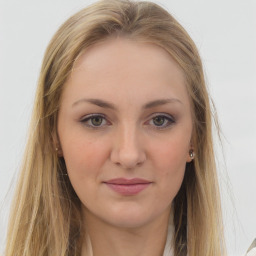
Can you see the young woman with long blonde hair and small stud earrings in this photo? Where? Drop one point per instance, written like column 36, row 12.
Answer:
column 120, row 157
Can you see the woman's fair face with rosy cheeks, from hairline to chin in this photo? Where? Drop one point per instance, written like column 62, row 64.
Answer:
column 125, row 129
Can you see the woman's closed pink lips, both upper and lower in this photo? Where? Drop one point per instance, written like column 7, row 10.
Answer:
column 128, row 187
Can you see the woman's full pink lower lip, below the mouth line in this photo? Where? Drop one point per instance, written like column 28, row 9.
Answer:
column 128, row 189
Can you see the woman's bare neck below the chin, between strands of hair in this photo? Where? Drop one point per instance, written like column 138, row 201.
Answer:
column 108, row 240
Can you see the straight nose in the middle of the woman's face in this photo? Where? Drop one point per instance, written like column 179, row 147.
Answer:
column 128, row 149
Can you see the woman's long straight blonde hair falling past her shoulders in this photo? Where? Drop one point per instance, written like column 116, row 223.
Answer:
column 46, row 212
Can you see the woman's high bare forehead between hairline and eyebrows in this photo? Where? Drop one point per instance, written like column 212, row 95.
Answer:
column 128, row 69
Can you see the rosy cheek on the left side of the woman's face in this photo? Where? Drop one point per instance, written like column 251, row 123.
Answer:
column 84, row 159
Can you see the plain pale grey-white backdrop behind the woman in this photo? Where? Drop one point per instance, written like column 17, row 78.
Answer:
column 225, row 33
